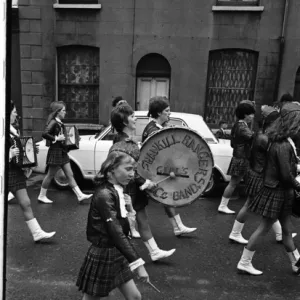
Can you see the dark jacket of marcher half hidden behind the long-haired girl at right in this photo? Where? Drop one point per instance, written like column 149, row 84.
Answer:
column 258, row 156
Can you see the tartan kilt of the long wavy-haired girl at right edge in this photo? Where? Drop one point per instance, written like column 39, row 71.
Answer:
column 273, row 202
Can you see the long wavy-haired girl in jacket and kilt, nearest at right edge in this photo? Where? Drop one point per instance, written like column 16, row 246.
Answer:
column 275, row 199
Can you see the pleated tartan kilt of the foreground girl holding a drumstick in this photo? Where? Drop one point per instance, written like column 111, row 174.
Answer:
column 102, row 271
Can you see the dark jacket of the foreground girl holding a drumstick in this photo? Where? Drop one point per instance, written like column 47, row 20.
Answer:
column 106, row 228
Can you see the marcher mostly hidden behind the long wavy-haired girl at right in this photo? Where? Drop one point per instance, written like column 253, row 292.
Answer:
column 254, row 182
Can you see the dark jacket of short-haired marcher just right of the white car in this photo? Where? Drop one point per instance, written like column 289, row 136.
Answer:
column 241, row 139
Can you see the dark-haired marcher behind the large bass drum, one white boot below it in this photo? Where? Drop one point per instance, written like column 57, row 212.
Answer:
column 159, row 110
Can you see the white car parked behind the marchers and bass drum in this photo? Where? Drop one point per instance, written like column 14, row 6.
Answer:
column 87, row 160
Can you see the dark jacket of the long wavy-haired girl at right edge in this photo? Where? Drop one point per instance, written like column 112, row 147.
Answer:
column 281, row 168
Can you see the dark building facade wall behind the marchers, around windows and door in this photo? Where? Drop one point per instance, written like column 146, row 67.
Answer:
column 183, row 32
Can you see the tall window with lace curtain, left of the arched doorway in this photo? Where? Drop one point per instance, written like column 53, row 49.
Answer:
column 78, row 82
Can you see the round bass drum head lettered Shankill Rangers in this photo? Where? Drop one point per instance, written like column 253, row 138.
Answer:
column 180, row 161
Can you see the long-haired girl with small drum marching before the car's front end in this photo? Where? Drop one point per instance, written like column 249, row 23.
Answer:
column 57, row 156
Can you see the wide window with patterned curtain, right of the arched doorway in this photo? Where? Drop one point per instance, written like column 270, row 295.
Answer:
column 231, row 79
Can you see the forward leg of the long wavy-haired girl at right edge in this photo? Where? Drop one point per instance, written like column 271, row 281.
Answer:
column 288, row 242
